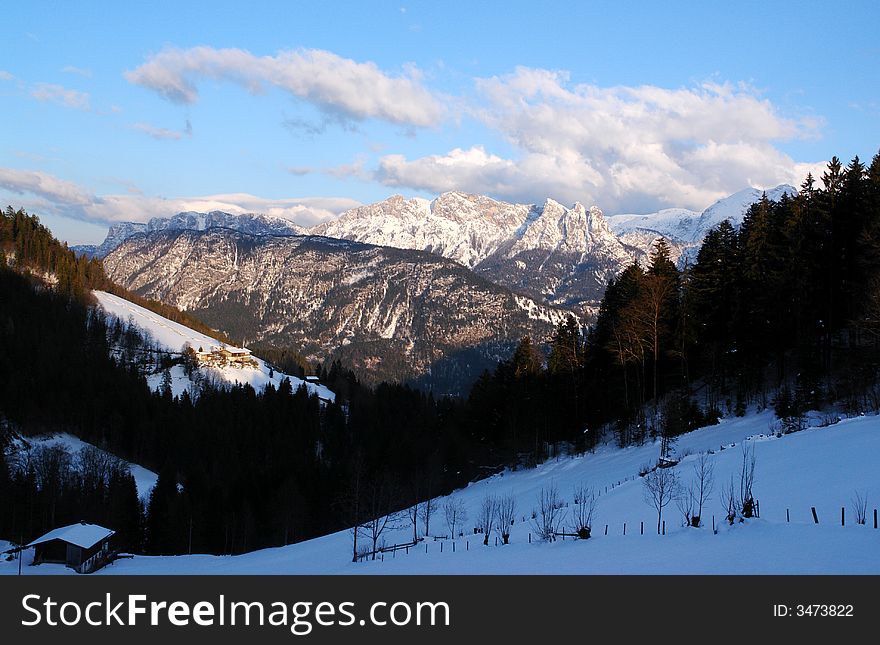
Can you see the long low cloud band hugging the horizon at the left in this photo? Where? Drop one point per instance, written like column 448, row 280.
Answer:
column 43, row 192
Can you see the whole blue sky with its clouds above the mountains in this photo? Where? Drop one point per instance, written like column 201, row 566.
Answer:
column 124, row 111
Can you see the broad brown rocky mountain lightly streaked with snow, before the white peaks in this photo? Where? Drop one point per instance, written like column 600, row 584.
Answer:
column 390, row 313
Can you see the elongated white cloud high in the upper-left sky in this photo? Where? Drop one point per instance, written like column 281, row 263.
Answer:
column 339, row 86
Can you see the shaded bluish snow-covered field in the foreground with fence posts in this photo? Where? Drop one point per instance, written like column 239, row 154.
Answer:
column 821, row 467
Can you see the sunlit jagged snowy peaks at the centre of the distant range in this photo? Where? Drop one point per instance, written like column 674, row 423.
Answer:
column 562, row 255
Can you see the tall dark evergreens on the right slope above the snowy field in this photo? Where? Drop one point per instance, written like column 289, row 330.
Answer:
column 782, row 311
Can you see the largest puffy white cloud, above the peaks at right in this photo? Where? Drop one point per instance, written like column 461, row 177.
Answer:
column 623, row 148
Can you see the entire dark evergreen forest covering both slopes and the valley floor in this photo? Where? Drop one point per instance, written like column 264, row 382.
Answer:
column 783, row 312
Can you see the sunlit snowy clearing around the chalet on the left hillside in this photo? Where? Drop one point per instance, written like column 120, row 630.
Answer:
column 172, row 336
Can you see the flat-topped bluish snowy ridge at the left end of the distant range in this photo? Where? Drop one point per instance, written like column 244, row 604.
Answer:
column 192, row 221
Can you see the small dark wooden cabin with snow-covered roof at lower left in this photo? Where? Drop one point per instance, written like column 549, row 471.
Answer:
column 82, row 547
